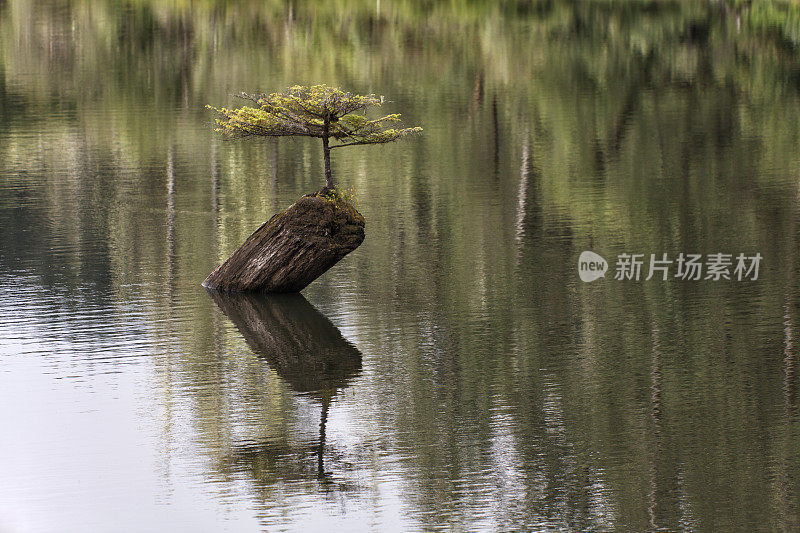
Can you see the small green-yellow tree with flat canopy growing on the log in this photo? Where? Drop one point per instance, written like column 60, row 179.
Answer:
column 337, row 117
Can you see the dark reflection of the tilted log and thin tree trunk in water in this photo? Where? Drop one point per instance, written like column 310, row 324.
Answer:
column 303, row 347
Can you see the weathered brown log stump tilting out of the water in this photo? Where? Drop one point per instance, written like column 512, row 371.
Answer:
column 293, row 248
